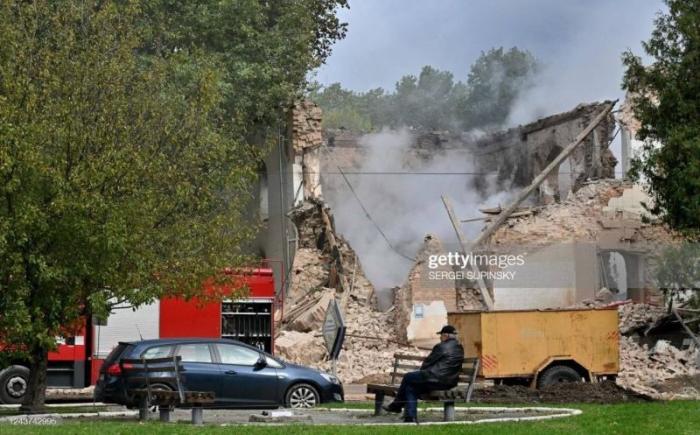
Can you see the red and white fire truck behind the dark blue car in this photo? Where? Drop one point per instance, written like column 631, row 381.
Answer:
column 77, row 360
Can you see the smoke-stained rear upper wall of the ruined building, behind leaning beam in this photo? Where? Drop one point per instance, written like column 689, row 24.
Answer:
column 515, row 156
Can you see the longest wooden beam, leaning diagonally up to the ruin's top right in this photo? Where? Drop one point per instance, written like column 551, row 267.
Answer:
column 488, row 231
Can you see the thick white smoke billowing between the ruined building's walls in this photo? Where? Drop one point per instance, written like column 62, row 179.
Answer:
column 402, row 193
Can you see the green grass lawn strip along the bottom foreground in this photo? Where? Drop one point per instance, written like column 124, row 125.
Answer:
column 681, row 417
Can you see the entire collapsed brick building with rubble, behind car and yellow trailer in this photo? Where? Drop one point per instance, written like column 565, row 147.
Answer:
column 593, row 225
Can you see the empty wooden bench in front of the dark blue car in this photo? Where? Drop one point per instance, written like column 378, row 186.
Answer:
column 145, row 381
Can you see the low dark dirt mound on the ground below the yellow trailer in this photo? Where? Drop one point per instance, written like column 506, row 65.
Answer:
column 604, row 392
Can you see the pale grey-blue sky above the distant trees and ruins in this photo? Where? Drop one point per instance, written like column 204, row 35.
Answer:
column 580, row 42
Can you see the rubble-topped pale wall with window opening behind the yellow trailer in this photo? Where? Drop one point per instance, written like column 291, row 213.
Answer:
column 600, row 219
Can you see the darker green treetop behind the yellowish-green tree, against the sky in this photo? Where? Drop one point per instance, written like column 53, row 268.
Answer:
column 264, row 48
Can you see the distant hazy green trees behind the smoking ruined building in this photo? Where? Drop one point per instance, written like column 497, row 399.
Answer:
column 433, row 99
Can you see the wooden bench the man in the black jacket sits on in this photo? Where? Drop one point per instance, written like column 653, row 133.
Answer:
column 404, row 363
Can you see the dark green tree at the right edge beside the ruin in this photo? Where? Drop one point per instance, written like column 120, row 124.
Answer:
column 666, row 99
